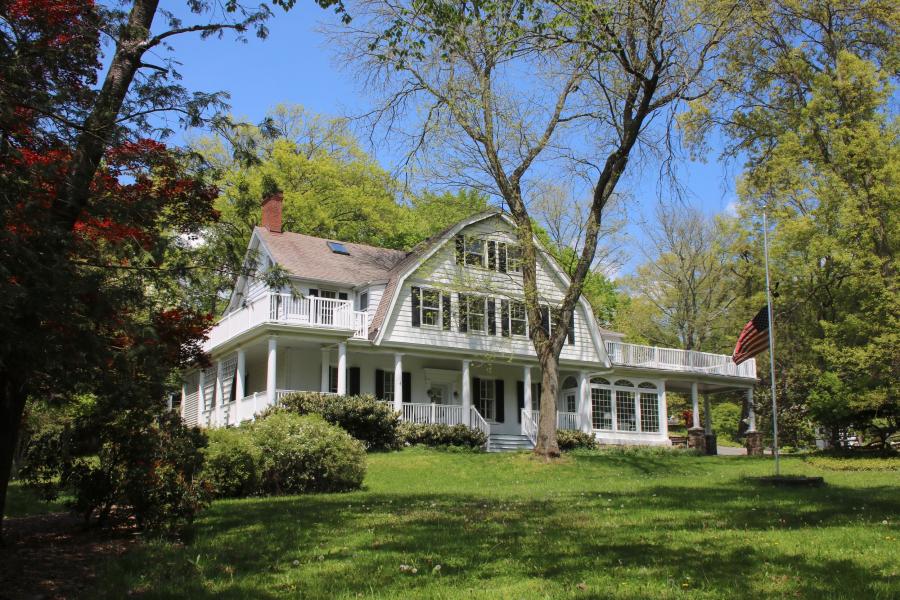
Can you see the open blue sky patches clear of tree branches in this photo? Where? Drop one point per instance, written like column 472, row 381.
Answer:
column 294, row 65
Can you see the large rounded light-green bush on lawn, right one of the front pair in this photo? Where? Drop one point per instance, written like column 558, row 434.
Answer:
column 306, row 454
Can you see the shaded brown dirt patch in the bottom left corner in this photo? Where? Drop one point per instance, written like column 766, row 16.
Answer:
column 54, row 557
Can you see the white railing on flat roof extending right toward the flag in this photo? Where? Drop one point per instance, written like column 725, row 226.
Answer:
column 672, row 359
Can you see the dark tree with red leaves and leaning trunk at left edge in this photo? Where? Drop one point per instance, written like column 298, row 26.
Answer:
column 89, row 206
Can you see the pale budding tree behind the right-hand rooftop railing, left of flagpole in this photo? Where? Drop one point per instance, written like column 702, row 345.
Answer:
column 686, row 288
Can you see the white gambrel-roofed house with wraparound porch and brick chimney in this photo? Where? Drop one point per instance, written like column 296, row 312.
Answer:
column 441, row 333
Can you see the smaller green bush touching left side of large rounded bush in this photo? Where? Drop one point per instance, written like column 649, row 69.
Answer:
column 232, row 463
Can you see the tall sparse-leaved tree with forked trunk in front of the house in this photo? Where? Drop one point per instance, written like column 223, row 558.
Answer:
column 602, row 70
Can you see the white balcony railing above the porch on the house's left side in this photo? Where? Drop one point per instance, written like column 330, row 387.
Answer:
column 313, row 312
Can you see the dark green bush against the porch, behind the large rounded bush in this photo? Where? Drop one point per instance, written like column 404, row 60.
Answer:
column 373, row 423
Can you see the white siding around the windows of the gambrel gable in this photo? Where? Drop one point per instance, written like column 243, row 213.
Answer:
column 441, row 271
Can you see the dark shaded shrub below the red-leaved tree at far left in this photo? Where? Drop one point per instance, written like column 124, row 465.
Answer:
column 148, row 467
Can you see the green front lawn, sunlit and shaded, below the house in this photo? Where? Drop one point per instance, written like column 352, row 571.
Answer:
column 612, row 525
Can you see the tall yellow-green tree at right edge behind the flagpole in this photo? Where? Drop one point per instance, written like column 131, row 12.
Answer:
column 809, row 96
